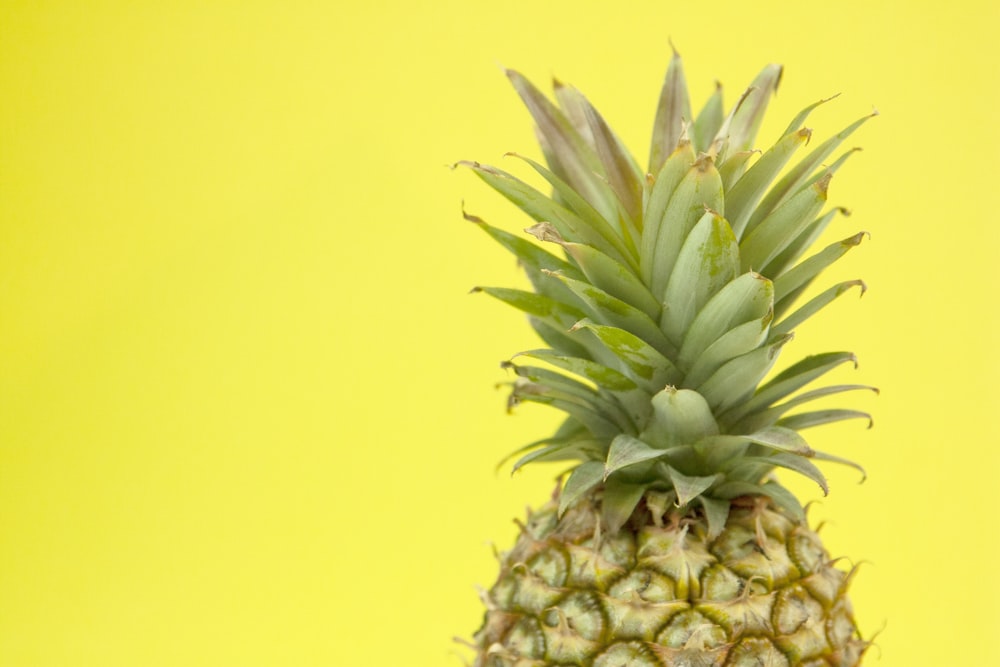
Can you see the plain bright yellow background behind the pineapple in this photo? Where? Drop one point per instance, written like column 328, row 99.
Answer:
column 247, row 413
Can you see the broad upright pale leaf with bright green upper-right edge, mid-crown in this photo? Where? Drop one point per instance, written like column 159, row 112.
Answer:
column 708, row 260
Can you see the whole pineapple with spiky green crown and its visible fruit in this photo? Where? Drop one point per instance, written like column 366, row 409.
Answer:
column 664, row 296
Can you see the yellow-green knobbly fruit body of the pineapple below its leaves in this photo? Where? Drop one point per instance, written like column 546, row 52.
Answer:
column 661, row 593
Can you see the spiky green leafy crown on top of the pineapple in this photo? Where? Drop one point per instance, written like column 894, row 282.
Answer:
column 665, row 295
